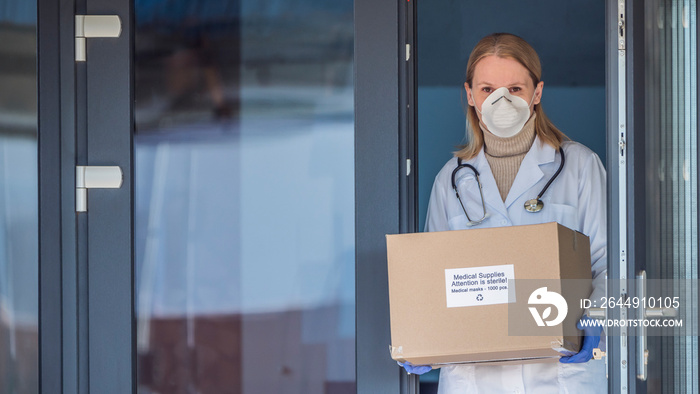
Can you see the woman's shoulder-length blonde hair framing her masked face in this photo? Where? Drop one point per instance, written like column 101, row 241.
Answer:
column 510, row 46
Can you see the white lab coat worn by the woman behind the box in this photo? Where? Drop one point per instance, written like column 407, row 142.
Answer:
column 576, row 199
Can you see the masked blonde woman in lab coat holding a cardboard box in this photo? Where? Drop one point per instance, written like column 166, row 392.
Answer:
column 516, row 151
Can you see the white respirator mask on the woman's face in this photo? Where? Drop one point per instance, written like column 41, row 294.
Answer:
column 503, row 114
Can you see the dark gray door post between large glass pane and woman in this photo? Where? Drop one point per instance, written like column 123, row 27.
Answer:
column 384, row 187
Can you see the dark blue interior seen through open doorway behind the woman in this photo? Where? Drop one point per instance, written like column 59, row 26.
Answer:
column 571, row 46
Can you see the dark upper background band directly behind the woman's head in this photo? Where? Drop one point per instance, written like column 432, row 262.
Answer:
column 568, row 36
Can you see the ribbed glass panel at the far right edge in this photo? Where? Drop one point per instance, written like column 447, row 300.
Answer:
column 672, row 179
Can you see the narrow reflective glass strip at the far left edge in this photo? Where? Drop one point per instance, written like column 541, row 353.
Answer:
column 19, row 288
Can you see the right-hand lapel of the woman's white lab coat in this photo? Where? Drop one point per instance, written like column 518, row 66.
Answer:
column 529, row 172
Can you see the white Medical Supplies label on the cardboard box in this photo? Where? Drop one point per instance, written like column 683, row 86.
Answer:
column 478, row 285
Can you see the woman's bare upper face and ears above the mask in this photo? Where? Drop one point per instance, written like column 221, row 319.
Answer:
column 493, row 72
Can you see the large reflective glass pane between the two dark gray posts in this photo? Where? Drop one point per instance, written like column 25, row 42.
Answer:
column 244, row 187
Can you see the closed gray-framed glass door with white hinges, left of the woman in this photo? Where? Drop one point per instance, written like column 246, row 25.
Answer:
column 222, row 259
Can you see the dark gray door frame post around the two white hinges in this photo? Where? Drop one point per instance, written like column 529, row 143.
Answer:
column 86, row 288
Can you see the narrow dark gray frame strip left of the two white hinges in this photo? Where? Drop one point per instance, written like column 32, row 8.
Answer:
column 58, row 358
